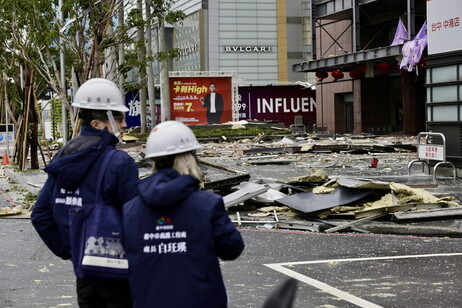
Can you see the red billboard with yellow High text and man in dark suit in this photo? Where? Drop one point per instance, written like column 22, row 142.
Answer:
column 201, row 100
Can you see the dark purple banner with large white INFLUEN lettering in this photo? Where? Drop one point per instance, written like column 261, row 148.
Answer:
column 277, row 103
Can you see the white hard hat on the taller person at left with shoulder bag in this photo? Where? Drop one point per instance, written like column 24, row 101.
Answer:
column 99, row 94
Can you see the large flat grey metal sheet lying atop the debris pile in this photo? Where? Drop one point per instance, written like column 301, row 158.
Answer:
column 308, row 202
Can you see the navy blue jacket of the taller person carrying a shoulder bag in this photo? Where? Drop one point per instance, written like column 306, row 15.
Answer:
column 72, row 178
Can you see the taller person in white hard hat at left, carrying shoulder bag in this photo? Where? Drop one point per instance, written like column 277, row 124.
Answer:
column 72, row 178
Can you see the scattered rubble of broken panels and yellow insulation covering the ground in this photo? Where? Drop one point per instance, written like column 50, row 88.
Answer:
column 302, row 180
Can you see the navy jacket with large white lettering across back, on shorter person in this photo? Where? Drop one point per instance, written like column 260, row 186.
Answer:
column 174, row 234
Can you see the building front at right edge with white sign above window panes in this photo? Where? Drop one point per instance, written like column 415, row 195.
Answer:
column 444, row 74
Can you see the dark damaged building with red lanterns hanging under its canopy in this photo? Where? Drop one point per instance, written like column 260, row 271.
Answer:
column 360, row 86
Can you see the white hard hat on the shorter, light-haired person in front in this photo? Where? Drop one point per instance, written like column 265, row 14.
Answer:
column 170, row 138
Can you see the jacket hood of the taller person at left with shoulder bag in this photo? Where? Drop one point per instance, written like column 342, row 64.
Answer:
column 72, row 163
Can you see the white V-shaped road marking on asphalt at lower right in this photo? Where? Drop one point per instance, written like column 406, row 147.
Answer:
column 280, row 267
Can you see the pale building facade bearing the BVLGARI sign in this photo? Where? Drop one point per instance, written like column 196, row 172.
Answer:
column 260, row 40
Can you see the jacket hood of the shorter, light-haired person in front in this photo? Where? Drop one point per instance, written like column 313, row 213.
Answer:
column 166, row 188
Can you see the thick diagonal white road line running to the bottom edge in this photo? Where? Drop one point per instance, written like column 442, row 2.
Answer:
column 323, row 286
